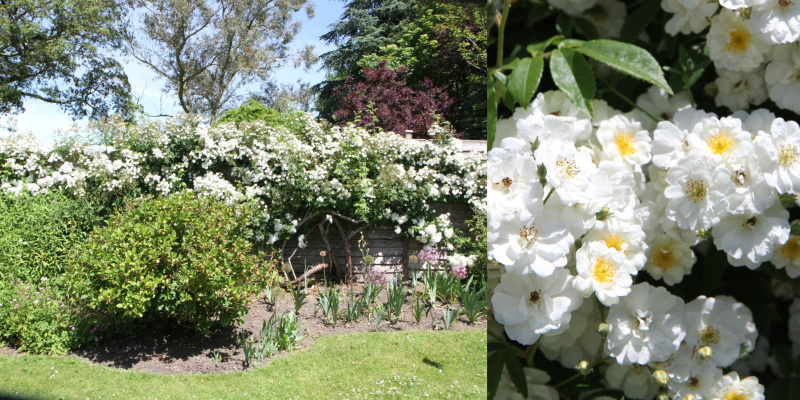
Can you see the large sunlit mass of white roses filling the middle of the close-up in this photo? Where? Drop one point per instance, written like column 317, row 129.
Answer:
column 578, row 207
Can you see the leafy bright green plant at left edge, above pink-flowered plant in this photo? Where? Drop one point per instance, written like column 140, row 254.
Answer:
column 38, row 232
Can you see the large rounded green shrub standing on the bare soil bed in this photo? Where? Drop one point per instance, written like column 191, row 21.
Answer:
column 180, row 258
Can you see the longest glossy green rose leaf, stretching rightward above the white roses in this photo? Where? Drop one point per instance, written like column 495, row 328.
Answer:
column 627, row 58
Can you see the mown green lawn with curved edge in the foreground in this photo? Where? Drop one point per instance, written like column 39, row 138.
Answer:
column 418, row 364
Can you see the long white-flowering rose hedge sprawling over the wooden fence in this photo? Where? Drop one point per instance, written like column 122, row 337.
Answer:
column 299, row 177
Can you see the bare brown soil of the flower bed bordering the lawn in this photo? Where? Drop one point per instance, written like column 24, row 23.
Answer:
column 187, row 353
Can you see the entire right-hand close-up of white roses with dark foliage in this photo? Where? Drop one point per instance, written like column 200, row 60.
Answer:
column 644, row 244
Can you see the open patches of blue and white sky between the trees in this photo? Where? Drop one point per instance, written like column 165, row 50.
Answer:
column 44, row 119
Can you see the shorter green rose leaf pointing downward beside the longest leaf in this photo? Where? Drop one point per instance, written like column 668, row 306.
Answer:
column 573, row 75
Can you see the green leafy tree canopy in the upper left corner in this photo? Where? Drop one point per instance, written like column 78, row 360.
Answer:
column 58, row 52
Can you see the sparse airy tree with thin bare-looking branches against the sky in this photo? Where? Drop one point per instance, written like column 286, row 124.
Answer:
column 208, row 50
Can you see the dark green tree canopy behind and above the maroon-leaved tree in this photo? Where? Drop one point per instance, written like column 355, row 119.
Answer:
column 441, row 42
